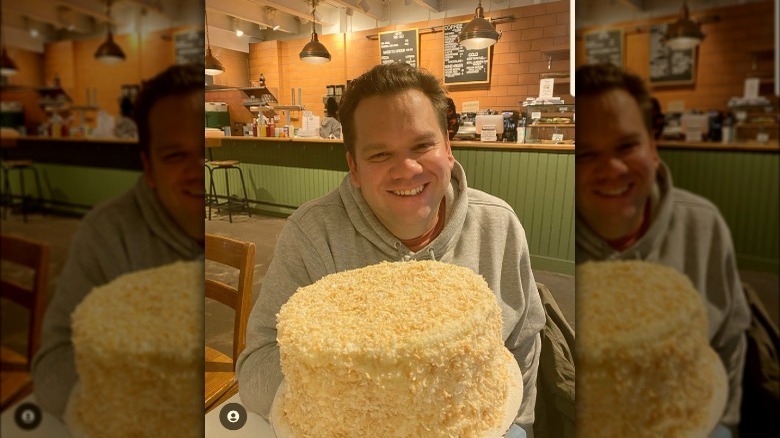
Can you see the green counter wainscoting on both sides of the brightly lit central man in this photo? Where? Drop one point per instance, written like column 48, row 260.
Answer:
column 539, row 185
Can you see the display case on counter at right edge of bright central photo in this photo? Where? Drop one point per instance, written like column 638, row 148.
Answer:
column 549, row 123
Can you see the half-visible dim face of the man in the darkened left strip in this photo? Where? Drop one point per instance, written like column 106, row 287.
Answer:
column 174, row 165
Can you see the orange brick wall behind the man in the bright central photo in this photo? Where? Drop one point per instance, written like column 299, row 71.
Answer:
column 516, row 67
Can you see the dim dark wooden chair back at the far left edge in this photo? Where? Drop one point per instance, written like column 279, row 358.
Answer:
column 34, row 255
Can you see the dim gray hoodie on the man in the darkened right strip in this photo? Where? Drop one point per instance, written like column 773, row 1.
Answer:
column 688, row 233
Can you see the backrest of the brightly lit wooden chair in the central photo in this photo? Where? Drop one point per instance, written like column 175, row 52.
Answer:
column 239, row 255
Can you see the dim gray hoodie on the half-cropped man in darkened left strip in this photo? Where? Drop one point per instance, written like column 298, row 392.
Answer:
column 129, row 233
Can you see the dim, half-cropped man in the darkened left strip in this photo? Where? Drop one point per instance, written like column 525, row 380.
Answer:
column 157, row 222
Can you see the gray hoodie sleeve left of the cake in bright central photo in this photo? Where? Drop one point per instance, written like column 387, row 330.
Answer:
column 258, row 367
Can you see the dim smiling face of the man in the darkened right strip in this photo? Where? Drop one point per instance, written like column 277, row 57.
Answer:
column 615, row 165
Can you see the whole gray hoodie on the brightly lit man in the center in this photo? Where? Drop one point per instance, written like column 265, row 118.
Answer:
column 339, row 232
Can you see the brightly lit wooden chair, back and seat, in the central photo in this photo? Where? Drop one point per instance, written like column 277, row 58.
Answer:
column 221, row 381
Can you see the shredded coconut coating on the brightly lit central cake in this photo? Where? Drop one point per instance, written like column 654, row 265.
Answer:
column 400, row 349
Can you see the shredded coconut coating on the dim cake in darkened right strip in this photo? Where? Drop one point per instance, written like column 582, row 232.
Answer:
column 642, row 352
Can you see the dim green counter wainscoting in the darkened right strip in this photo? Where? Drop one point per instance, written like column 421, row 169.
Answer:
column 744, row 185
